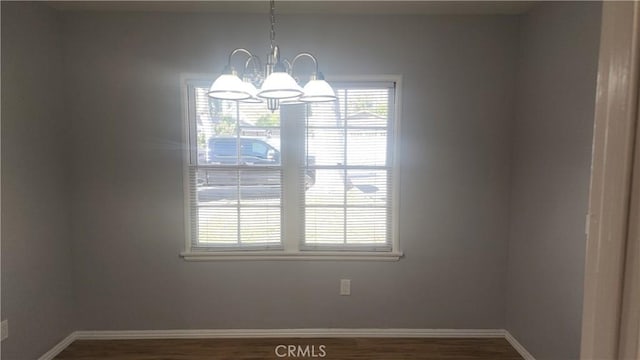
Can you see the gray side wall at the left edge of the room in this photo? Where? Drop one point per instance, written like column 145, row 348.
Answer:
column 37, row 295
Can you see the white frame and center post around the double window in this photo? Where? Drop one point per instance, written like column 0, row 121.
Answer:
column 292, row 229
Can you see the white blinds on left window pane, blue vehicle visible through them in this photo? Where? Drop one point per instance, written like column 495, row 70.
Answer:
column 234, row 173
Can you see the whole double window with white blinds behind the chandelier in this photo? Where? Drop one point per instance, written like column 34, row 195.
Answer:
column 321, row 186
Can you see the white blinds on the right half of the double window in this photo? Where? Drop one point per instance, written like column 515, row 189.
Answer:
column 349, row 150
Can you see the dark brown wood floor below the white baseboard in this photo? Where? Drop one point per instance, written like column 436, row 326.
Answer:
column 333, row 348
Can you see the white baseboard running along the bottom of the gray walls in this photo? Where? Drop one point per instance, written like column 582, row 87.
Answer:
column 284, row 333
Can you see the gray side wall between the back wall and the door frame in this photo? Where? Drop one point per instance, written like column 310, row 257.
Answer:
column 551, row 165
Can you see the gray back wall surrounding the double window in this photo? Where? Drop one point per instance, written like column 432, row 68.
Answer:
column 127, row 201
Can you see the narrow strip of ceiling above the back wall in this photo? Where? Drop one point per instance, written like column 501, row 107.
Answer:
column 305, row 6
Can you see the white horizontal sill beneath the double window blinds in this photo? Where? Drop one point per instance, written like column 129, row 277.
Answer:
column 281, row 255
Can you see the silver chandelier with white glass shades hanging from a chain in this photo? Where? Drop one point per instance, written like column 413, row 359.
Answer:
column 273, row 83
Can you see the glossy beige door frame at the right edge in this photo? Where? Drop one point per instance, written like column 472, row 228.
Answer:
column 611, row 244
